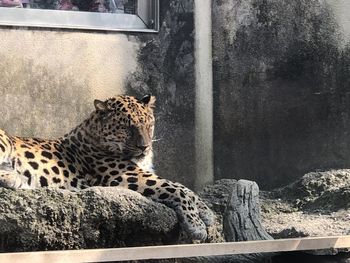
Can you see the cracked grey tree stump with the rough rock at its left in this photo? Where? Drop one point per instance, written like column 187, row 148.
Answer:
column 237, row 207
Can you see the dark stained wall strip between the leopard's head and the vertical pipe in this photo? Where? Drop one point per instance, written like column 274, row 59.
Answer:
column 166, row 69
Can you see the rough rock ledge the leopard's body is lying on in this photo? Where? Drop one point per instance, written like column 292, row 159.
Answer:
column 49, row 219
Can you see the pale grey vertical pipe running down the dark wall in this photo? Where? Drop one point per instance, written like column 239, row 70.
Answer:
column 204, row 93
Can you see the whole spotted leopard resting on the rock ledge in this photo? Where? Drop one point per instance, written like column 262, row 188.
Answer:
column 113, row 147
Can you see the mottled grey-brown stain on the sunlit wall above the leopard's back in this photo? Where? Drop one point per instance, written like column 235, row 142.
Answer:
column 37, row 102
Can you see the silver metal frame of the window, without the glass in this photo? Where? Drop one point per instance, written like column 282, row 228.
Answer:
column 46, row 18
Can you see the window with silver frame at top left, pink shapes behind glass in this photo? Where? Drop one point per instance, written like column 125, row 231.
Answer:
column 114, row 15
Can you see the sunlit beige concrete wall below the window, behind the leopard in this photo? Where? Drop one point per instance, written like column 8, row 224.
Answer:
column 48, row 79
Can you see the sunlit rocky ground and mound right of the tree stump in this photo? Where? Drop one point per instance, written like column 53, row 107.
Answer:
column 316, row 205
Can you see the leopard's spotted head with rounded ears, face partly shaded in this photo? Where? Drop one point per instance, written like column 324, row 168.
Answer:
column 125, row 125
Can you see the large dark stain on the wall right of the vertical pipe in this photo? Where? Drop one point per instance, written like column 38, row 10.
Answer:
column 281, row 90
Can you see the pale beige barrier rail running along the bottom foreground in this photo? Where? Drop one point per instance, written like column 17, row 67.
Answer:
column 178, row 251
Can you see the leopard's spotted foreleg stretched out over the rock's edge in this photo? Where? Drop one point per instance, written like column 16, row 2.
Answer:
column 174, row 195
